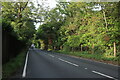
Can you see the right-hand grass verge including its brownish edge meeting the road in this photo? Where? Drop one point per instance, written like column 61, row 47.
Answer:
column 96, row 57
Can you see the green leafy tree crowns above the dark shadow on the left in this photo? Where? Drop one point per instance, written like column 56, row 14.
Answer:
column 16, row 19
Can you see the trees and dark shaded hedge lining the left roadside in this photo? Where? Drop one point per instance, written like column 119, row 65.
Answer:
column 17, row 27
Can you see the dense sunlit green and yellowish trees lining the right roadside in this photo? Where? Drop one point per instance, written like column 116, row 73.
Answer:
column 92, row 27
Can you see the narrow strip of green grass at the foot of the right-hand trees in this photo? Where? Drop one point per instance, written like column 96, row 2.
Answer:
column 85, row 54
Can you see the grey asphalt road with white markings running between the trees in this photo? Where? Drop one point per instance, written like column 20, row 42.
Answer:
column 44, row 64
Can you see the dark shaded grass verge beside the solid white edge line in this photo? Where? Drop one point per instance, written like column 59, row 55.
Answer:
column 13, row 65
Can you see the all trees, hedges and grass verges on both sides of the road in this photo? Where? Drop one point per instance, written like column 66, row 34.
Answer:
column 90, row 30
